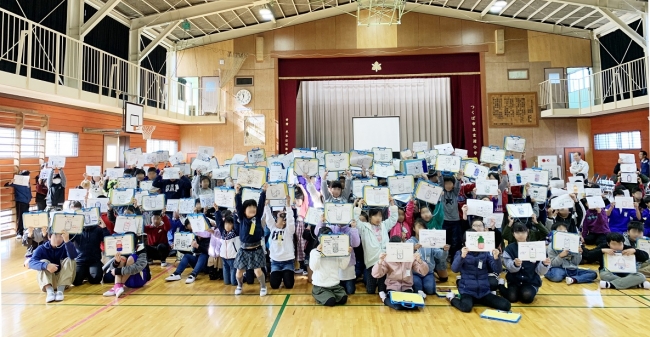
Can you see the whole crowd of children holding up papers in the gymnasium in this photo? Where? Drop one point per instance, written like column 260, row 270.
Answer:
column 278, row 243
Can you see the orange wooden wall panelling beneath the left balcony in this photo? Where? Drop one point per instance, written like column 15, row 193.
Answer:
column 91, row 146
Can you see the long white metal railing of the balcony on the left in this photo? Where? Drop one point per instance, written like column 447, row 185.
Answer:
column 37, row 52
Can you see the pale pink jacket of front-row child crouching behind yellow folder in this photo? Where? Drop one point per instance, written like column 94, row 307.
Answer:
column 399, row 275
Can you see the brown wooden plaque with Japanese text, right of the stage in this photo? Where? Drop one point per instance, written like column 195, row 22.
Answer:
column 513, row 109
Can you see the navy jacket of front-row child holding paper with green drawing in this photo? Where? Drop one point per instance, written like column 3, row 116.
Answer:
column 474, row 280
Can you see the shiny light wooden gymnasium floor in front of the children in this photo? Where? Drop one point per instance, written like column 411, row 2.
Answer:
column 208, row 307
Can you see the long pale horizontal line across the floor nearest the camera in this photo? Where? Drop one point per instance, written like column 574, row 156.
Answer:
column 308, row 305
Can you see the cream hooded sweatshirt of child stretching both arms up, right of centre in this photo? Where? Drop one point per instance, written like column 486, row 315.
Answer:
column 374, row 238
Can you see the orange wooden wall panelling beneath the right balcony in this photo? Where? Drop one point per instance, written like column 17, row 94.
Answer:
column 605, row 160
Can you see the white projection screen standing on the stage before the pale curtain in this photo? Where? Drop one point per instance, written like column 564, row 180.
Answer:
column 369, row 132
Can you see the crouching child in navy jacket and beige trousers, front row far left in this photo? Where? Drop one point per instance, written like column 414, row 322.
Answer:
column 55, row 266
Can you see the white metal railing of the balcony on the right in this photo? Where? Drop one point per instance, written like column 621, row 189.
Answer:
column 625, row 81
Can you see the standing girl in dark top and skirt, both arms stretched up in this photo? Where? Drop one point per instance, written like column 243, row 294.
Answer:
column 251, row 232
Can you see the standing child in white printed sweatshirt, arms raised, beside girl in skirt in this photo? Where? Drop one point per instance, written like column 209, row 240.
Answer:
column 281, row 245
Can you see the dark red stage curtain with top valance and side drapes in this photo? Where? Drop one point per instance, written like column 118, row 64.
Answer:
column 465, row 89
